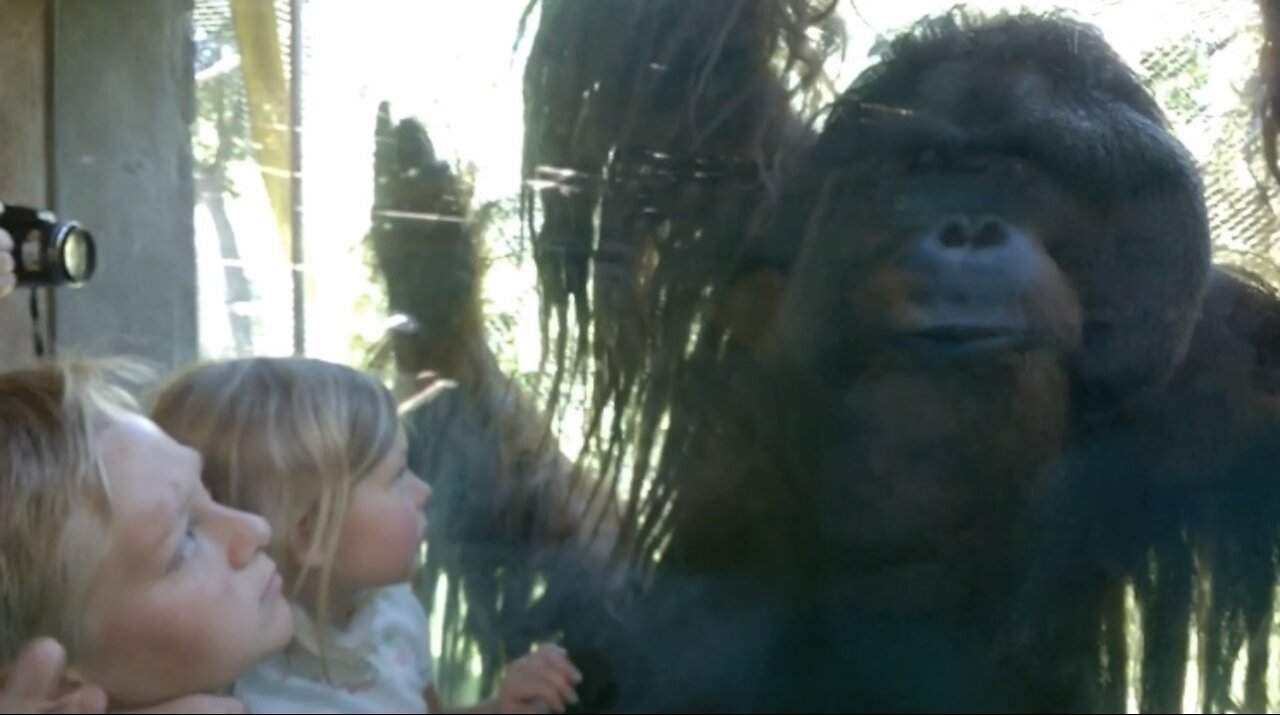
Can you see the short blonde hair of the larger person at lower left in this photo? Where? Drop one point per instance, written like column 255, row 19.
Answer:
column 54, row 494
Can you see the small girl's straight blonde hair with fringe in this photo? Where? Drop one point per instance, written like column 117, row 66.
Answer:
column 286, row 439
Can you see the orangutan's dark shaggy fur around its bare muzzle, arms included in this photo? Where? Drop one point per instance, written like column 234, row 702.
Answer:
column 813, row 521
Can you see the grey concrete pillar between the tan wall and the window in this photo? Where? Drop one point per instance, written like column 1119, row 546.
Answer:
column 124, row 104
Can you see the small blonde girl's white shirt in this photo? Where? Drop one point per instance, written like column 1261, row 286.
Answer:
column 382, row 663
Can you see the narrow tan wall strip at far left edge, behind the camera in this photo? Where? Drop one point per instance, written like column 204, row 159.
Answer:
column 24, row 97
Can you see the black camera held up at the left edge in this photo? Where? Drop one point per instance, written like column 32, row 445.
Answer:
column 48, row 253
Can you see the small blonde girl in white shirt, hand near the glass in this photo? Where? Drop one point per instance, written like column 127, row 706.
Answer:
column 317, row 450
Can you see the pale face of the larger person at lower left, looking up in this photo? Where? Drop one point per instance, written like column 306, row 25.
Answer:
column 184, row 599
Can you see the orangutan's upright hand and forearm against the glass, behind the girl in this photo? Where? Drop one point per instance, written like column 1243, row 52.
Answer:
column 508, row 512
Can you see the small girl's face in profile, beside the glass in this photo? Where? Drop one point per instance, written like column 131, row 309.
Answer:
column 382, row 535
